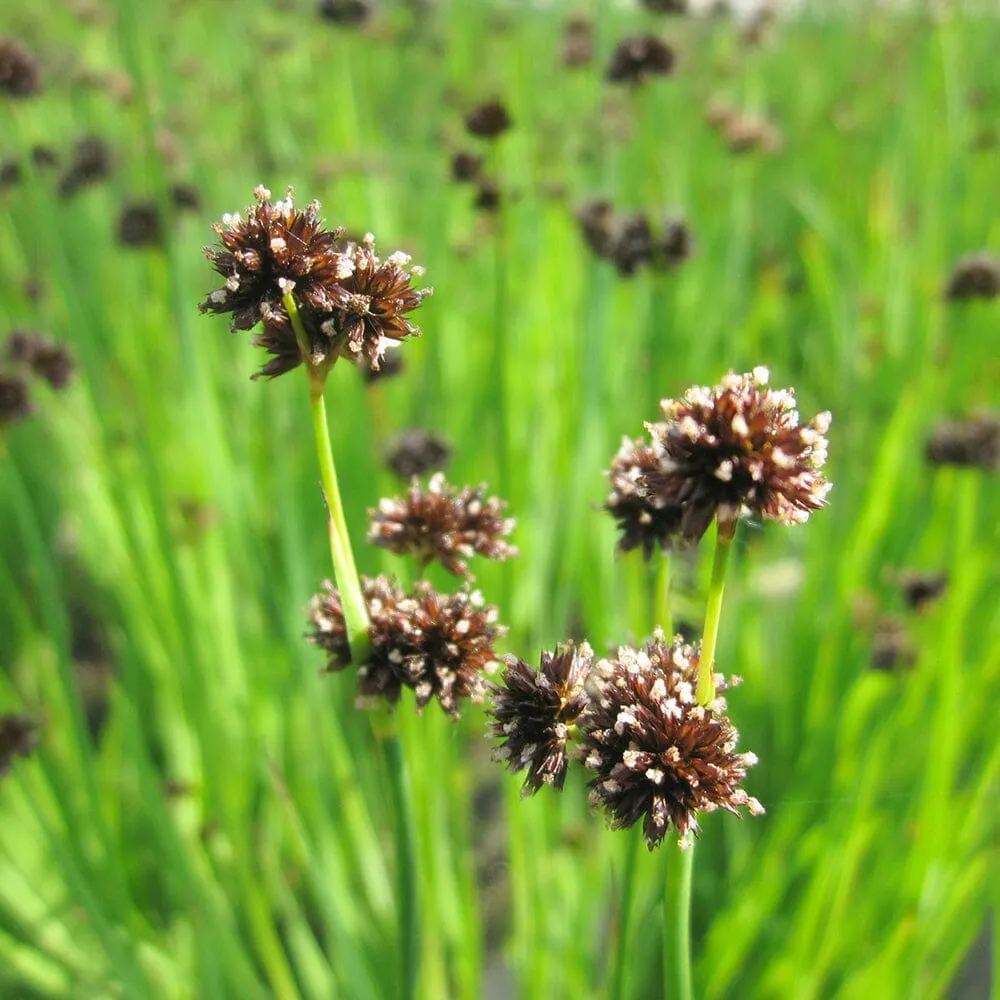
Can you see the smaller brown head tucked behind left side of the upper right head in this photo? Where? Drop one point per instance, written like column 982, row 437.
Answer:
column 643, row 518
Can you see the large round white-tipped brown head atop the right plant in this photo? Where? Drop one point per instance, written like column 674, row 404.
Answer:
column 737, row 447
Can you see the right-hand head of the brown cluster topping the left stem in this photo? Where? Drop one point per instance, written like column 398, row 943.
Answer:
column 372, row 301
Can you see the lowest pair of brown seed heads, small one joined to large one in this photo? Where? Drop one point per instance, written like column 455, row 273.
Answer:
column 656, row 755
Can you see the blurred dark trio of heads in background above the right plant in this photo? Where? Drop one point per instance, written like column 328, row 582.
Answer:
column 631, row 241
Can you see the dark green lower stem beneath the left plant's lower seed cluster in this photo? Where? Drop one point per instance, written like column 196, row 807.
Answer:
column 406, row 868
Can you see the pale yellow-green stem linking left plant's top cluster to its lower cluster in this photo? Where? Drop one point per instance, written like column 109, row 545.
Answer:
column 344, row 569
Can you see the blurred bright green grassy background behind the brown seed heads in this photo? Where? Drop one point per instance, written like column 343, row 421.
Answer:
column 206, row 815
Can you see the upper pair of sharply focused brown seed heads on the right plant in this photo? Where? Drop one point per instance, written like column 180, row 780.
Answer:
column 719, row 453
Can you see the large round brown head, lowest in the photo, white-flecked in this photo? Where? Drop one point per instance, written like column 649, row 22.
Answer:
column 659, row 756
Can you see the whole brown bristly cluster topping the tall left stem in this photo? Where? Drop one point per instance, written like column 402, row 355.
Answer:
column 350, row 301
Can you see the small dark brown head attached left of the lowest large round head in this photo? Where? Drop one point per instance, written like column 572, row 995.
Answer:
column 533, row 711
